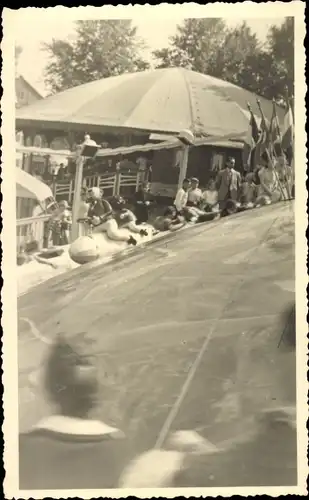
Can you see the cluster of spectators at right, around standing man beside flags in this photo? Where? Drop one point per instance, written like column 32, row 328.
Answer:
column 230, row 192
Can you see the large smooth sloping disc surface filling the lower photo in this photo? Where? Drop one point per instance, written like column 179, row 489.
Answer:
column 216, row 293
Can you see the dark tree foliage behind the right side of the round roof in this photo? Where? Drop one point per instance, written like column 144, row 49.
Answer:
column 235, row 54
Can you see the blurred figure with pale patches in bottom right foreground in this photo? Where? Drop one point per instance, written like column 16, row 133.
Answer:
column 266, row 456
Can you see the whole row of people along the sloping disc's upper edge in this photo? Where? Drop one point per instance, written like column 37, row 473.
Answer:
column 226, row 194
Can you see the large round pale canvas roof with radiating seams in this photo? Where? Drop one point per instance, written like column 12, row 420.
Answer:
column 161, row 100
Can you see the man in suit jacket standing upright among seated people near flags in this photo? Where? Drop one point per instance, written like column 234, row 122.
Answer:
column 228, row 183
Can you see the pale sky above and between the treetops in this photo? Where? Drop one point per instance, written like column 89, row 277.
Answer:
column 32, row 28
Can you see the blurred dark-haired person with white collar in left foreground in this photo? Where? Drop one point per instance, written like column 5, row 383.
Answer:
column 70, row 450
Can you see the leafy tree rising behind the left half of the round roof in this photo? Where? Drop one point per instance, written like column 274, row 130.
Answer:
column 100, row 49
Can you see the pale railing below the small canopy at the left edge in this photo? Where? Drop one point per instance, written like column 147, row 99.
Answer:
column 31, row 228
